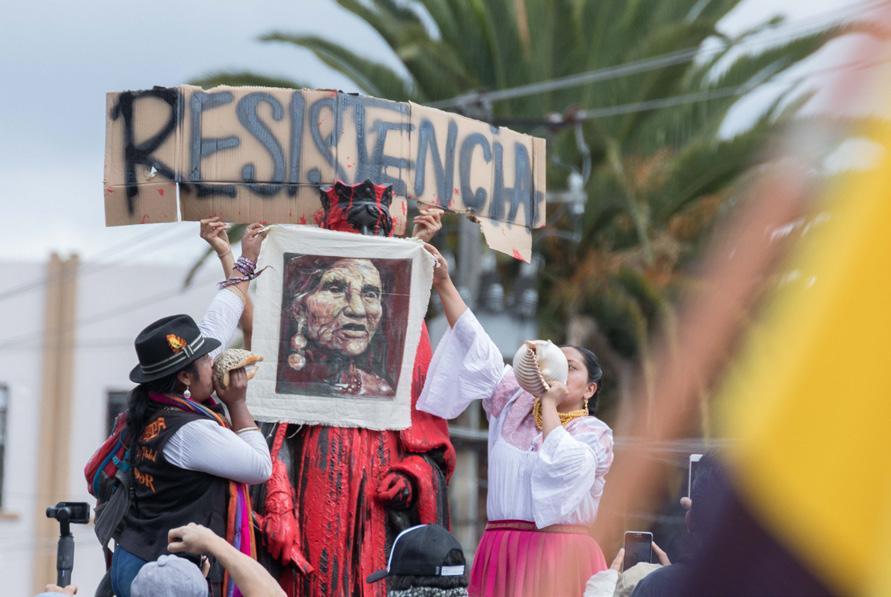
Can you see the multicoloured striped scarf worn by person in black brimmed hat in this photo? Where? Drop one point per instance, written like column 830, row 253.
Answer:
column 239, row 527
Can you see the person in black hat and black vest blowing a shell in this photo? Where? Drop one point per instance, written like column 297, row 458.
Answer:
column 189, row 462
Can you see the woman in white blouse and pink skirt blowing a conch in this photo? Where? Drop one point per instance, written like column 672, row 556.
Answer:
column 547, row 457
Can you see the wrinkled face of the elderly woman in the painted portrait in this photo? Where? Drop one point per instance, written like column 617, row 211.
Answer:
column 345, row 309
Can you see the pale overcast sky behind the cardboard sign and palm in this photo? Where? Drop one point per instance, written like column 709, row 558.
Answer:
column 58, row 58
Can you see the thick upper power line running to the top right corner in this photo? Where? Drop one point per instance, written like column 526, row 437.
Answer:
column 648, row 64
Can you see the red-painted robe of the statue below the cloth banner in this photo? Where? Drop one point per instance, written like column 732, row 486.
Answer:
column 338, row 471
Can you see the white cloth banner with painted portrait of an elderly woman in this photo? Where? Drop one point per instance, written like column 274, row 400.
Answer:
column 338, row 318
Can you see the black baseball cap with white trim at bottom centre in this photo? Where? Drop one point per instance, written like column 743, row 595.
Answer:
column 422, row 551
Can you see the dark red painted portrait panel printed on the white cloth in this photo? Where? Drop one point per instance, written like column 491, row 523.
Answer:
column 343, row 325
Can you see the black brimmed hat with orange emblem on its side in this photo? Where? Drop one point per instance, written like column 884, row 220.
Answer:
column 167, row 346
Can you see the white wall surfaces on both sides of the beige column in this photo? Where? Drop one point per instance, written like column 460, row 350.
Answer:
column 114, row 303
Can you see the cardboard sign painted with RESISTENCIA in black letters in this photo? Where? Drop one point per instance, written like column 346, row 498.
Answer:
column 261, row 154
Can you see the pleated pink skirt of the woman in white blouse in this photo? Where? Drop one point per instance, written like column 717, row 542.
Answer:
column 514, row 559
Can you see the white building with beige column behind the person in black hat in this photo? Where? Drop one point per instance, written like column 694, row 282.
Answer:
column 66, row 350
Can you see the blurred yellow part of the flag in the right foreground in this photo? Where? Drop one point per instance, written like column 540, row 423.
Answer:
column 810, row 398
